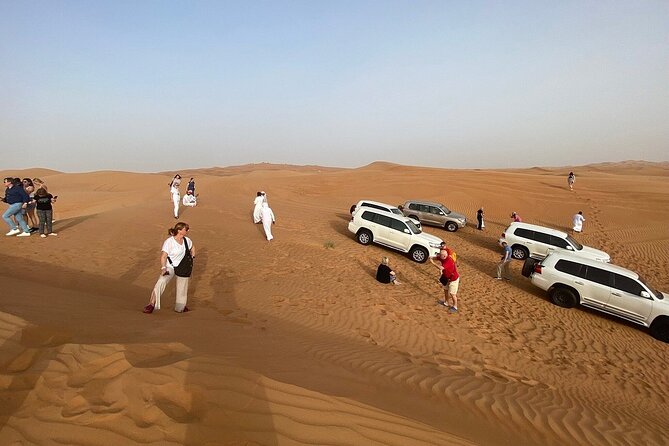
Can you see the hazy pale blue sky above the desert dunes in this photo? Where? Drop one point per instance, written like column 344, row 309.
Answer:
column 149, row 86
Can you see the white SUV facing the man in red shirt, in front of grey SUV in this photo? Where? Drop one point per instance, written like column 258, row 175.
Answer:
column 395, row 231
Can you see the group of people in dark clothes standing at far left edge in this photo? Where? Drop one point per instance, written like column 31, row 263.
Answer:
column 28, row 200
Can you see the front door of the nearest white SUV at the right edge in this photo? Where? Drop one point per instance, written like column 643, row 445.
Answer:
column 626, row 300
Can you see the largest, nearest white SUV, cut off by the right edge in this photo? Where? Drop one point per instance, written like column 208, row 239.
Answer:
column 570, row 279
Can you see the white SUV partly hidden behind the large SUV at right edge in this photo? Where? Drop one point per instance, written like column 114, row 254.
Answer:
column 528, row 240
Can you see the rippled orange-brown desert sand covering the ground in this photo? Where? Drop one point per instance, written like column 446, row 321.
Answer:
column 294, row 342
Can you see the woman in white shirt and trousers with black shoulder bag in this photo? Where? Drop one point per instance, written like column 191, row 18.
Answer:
column 173, row 252
